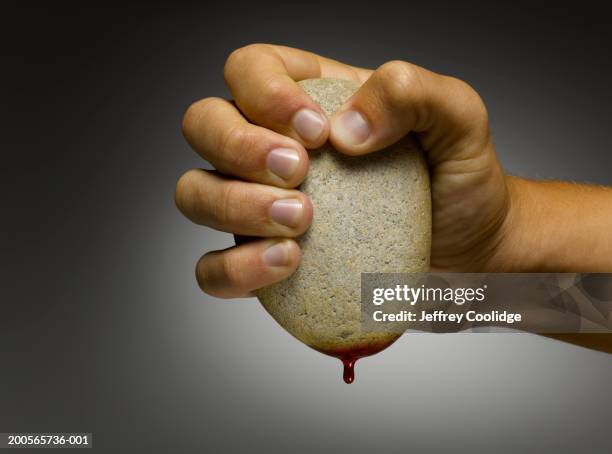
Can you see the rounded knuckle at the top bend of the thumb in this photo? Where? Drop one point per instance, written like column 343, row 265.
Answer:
column 400, row 81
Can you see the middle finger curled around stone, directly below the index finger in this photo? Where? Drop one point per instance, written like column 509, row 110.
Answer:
column 222, row 136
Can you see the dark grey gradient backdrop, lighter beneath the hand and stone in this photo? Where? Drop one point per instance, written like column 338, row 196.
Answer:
column 102, row 326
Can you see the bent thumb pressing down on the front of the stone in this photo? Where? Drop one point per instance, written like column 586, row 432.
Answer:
column 399, row 98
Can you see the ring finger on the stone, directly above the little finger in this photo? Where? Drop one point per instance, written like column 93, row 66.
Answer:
column 242, row 208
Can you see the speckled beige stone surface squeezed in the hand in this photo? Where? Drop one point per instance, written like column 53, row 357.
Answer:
column 371, row 214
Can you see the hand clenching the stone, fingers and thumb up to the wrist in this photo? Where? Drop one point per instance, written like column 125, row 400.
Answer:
column 258, row 165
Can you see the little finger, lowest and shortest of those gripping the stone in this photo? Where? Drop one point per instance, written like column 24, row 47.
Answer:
column 237, row 271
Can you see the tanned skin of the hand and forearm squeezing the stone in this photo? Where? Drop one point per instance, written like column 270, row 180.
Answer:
column 483, row 220
